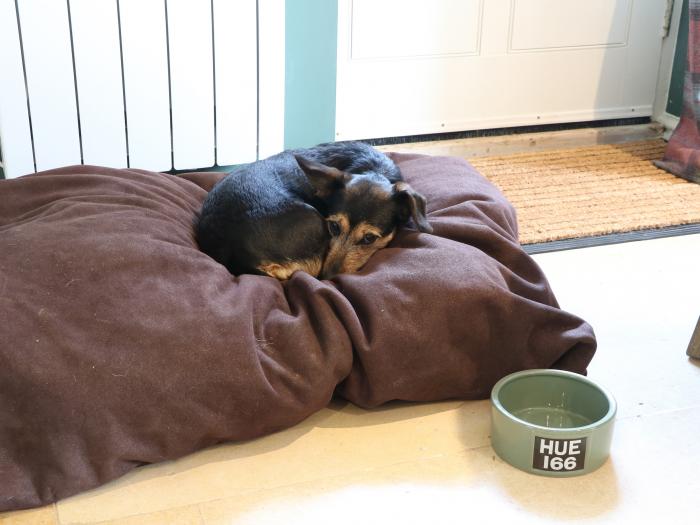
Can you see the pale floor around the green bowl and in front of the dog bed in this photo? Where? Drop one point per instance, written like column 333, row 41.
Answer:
column 432, row 463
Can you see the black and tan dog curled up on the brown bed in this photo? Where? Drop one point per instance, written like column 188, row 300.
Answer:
column 324, row 210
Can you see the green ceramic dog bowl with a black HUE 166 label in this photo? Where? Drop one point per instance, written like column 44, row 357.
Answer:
column 552, row 422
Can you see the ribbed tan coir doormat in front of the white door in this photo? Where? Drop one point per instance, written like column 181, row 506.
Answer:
column 592, row 191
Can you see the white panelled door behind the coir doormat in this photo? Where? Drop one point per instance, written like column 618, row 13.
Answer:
column 408, row 67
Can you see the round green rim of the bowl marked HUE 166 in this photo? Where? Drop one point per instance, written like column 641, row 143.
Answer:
column 496, row 403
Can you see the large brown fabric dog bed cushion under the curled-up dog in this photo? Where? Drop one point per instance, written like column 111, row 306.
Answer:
column 121, row 344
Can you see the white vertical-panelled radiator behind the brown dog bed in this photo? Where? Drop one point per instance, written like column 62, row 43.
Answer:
column 152, row 84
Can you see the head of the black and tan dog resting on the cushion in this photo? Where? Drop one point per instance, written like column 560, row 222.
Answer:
column 362, row 213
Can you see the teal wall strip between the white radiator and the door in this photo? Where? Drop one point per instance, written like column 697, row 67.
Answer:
column 311, row 28
